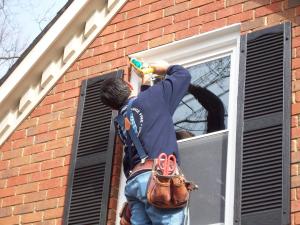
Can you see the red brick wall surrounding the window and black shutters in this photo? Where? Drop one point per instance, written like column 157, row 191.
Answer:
column 35, row 159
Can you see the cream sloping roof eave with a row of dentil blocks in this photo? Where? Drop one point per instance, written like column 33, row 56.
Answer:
column 50, row 58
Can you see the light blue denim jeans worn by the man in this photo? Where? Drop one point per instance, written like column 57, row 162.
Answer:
column 145, row 214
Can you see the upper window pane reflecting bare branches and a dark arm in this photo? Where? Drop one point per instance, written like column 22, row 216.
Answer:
column 204, row 108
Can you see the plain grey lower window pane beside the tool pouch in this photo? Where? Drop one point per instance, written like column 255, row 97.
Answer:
column 203, row 160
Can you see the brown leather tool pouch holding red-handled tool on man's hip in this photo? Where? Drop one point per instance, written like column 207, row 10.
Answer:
column 168, row 192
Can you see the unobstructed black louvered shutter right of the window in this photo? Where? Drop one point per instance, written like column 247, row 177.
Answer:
column 263, row 128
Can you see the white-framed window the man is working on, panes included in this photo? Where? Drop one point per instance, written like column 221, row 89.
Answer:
column 212, row 63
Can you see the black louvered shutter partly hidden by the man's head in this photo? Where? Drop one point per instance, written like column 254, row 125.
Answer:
column 93, row 147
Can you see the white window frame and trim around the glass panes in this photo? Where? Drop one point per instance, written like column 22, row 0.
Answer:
column 195, row 50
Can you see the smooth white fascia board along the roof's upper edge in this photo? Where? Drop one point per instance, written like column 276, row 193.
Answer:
column 41, row 47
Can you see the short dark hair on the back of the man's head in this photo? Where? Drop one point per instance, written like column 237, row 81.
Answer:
column 115, row 92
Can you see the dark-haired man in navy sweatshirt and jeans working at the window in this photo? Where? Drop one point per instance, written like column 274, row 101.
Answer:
column 152, row 111
